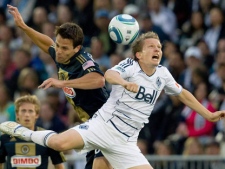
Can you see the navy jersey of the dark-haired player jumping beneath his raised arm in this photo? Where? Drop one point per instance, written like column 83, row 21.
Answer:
column 85, row 102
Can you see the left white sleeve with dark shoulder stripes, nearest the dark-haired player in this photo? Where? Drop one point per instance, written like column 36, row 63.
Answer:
column 125, row 68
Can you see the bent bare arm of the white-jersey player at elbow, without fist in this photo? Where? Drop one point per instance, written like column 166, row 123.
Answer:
column 114, row 77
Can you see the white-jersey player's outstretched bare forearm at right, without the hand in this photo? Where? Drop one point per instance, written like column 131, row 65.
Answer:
column 188, row 99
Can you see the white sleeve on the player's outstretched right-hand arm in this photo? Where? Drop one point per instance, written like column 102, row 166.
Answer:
column 171, row 87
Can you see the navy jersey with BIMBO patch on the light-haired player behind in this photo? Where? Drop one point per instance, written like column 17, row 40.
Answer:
column 23, row 154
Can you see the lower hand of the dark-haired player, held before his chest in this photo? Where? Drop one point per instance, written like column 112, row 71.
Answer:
column 51, row 82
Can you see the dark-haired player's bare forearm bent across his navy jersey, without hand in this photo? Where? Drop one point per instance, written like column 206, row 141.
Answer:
column 89, row 81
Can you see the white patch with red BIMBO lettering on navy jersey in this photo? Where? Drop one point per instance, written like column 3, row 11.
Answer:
column 26, row 161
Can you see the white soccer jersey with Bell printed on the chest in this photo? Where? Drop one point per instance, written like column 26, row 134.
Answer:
column 128, row 111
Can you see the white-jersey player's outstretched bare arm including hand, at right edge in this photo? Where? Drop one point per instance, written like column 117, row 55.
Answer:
column 188, row 99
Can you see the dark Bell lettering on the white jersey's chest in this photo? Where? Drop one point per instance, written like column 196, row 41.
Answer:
column 147, row 97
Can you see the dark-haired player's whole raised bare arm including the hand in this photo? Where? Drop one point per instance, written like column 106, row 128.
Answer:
column 41, row 40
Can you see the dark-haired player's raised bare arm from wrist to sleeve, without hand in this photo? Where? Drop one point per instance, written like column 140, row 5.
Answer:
column 41, row 40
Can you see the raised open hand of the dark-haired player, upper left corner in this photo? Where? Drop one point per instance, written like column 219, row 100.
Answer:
column 16, row 15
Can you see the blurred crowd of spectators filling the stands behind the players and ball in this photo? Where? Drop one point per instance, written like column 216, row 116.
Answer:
column 193, row 36
